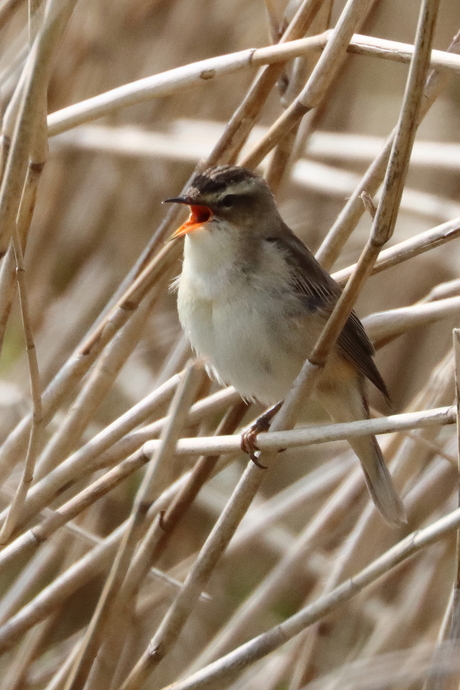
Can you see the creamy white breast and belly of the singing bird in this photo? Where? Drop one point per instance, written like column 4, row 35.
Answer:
column 239, row 325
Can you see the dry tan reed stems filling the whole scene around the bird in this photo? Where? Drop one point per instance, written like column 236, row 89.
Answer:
column 121, row 473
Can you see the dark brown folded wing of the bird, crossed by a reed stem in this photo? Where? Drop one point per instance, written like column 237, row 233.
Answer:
column 320, row 292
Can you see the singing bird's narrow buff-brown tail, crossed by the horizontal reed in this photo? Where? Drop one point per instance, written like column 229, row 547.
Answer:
column 348, row 403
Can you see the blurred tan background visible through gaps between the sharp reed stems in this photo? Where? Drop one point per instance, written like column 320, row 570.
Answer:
column 98, row 205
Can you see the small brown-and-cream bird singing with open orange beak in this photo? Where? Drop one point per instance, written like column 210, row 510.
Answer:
column 252, row 301
